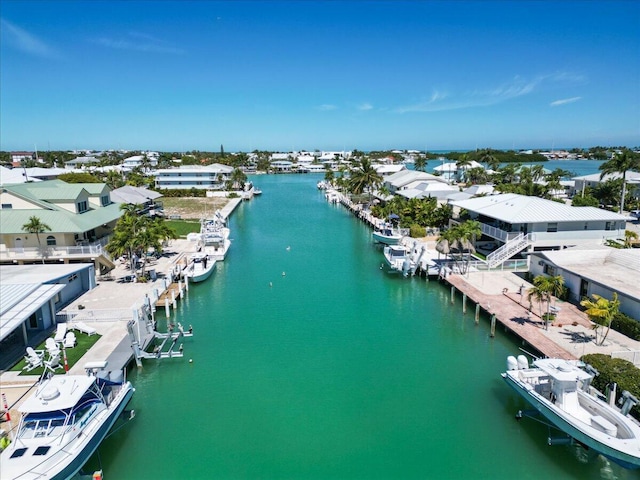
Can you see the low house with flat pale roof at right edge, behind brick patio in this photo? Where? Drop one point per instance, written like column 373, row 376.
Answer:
column 595, row 269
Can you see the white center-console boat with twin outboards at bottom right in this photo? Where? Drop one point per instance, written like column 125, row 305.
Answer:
column 560, row 391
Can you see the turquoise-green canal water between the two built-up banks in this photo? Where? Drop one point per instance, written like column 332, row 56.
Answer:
column 309, row 361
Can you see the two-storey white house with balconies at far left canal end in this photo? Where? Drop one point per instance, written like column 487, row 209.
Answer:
column 208, row 177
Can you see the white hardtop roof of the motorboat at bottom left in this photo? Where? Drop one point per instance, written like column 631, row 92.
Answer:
column 58, row 393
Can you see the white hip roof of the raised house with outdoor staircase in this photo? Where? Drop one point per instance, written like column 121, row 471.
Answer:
column 514, row 208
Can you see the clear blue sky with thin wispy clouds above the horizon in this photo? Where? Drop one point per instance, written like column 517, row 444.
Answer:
column 318, row 75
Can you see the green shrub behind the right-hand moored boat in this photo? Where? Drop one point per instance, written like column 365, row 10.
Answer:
column 623, row 372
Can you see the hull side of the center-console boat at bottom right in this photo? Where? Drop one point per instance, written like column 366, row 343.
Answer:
column 563, row 423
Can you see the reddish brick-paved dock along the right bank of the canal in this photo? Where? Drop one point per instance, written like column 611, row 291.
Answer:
column 513, row 316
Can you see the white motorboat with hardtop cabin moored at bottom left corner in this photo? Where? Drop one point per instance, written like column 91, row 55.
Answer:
column 63, row 423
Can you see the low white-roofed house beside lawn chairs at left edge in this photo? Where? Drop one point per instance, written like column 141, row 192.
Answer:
column 31, row 297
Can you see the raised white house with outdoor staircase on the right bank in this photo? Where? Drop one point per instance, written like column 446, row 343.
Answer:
column 515, row 222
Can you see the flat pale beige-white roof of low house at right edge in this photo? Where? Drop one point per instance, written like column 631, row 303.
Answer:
column 600, row 264
